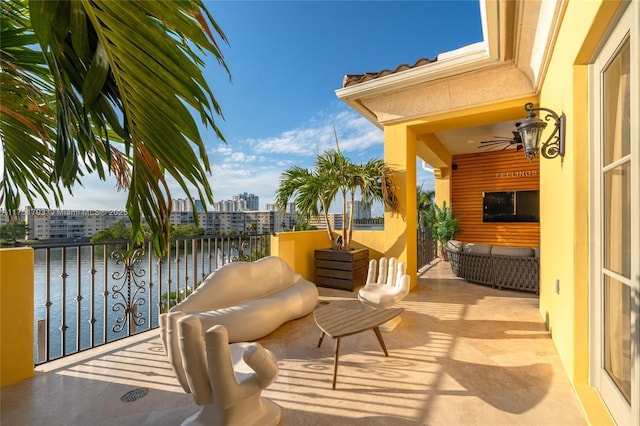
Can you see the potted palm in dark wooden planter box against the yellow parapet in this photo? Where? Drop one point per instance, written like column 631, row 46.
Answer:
column 333, row 176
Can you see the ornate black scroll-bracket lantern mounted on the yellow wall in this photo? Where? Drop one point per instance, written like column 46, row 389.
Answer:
column 531, row 129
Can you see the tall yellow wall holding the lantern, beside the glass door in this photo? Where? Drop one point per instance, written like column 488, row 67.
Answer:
column 564, row 201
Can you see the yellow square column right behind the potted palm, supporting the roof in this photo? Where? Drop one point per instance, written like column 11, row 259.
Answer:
column 400, row 229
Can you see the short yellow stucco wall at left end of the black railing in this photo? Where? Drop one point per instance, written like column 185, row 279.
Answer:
column 16, row 315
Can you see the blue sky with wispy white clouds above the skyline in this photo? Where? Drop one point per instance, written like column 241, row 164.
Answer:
column 287, row 58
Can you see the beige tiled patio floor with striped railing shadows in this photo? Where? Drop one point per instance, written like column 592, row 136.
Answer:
column 464, row 354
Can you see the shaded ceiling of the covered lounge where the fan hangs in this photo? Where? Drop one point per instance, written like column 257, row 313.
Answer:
column 467, row 140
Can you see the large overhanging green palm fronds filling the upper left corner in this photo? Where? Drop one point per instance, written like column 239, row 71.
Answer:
column 109, row 91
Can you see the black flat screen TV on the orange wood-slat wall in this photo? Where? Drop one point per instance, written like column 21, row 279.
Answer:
column 511, row 206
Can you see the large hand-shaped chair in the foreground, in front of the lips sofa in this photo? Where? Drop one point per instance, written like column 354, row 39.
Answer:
column 226, row 380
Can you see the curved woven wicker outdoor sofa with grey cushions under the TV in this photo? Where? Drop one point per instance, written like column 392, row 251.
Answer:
column 516, row 268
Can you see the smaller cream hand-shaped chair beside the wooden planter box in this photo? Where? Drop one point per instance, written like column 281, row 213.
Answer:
column 390, row 287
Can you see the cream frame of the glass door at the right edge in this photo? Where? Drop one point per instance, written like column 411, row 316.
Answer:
column 626, row 28
